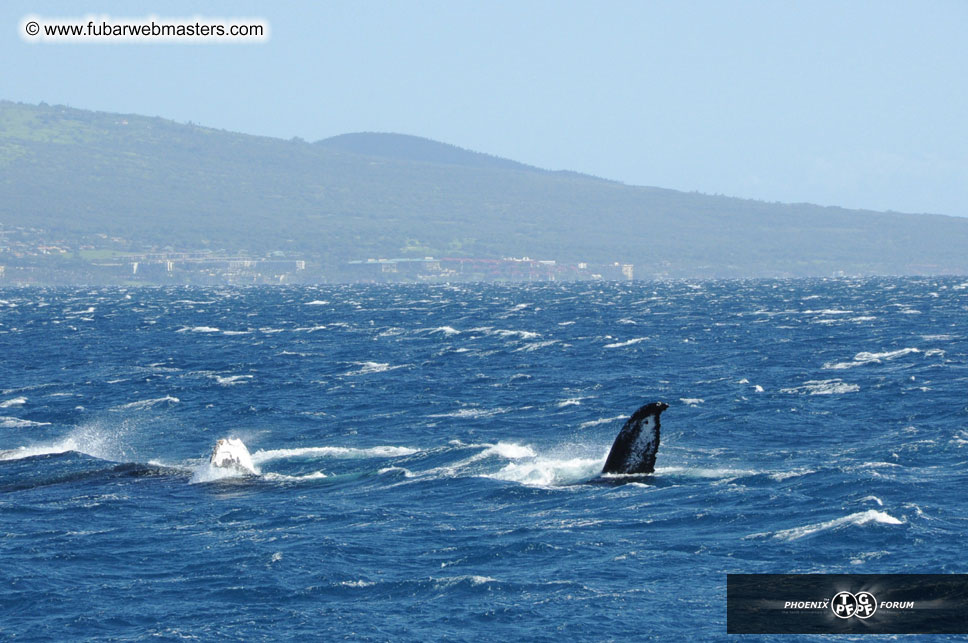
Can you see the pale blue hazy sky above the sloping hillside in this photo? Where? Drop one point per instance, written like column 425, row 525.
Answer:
column 860, row 104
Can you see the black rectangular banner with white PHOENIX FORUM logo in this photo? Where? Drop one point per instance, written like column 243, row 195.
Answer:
column 847, row 603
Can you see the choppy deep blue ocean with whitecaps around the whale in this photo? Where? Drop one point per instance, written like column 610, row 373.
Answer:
column 421, row 451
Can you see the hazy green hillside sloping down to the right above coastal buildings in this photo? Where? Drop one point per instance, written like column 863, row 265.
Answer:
column 79, row 176
